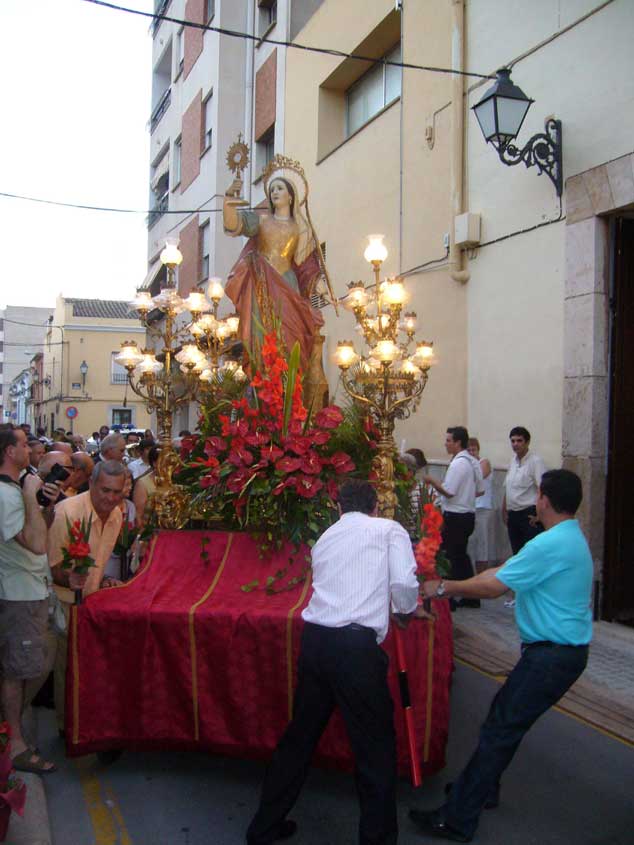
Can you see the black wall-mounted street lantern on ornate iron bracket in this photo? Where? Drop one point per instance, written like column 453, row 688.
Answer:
column 501, row 113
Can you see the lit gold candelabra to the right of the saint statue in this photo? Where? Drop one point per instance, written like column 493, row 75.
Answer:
column 390, row 378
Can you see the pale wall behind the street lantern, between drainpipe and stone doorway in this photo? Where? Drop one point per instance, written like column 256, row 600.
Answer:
column 561, row 58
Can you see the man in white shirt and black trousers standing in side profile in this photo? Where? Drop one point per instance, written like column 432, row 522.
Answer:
column 461, row 485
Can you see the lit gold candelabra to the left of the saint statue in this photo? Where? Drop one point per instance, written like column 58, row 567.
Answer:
column 196, row 345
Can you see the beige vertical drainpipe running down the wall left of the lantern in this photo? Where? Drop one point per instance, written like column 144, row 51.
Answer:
column 456, row 257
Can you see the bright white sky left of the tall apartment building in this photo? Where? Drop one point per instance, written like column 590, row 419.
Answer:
column 75, row 108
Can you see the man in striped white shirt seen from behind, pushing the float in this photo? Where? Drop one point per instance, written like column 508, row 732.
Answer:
column 359, row 565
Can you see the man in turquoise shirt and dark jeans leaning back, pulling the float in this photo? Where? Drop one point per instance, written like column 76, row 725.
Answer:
column 552, row 579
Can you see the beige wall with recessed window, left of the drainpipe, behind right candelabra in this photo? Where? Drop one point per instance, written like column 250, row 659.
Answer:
column 356, row 190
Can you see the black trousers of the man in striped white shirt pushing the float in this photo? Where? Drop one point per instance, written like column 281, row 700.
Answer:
column 345, row 668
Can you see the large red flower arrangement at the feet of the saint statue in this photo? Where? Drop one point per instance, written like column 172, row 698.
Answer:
column 265, row 465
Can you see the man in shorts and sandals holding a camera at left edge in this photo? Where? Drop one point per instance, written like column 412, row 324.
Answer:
column 24, row 581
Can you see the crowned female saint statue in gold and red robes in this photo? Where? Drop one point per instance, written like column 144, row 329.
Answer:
column 281, row 265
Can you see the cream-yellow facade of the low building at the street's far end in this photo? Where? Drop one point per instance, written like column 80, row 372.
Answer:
column 91, row 340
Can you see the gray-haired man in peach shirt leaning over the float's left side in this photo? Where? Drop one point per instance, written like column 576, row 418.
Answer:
column 100, row 506
